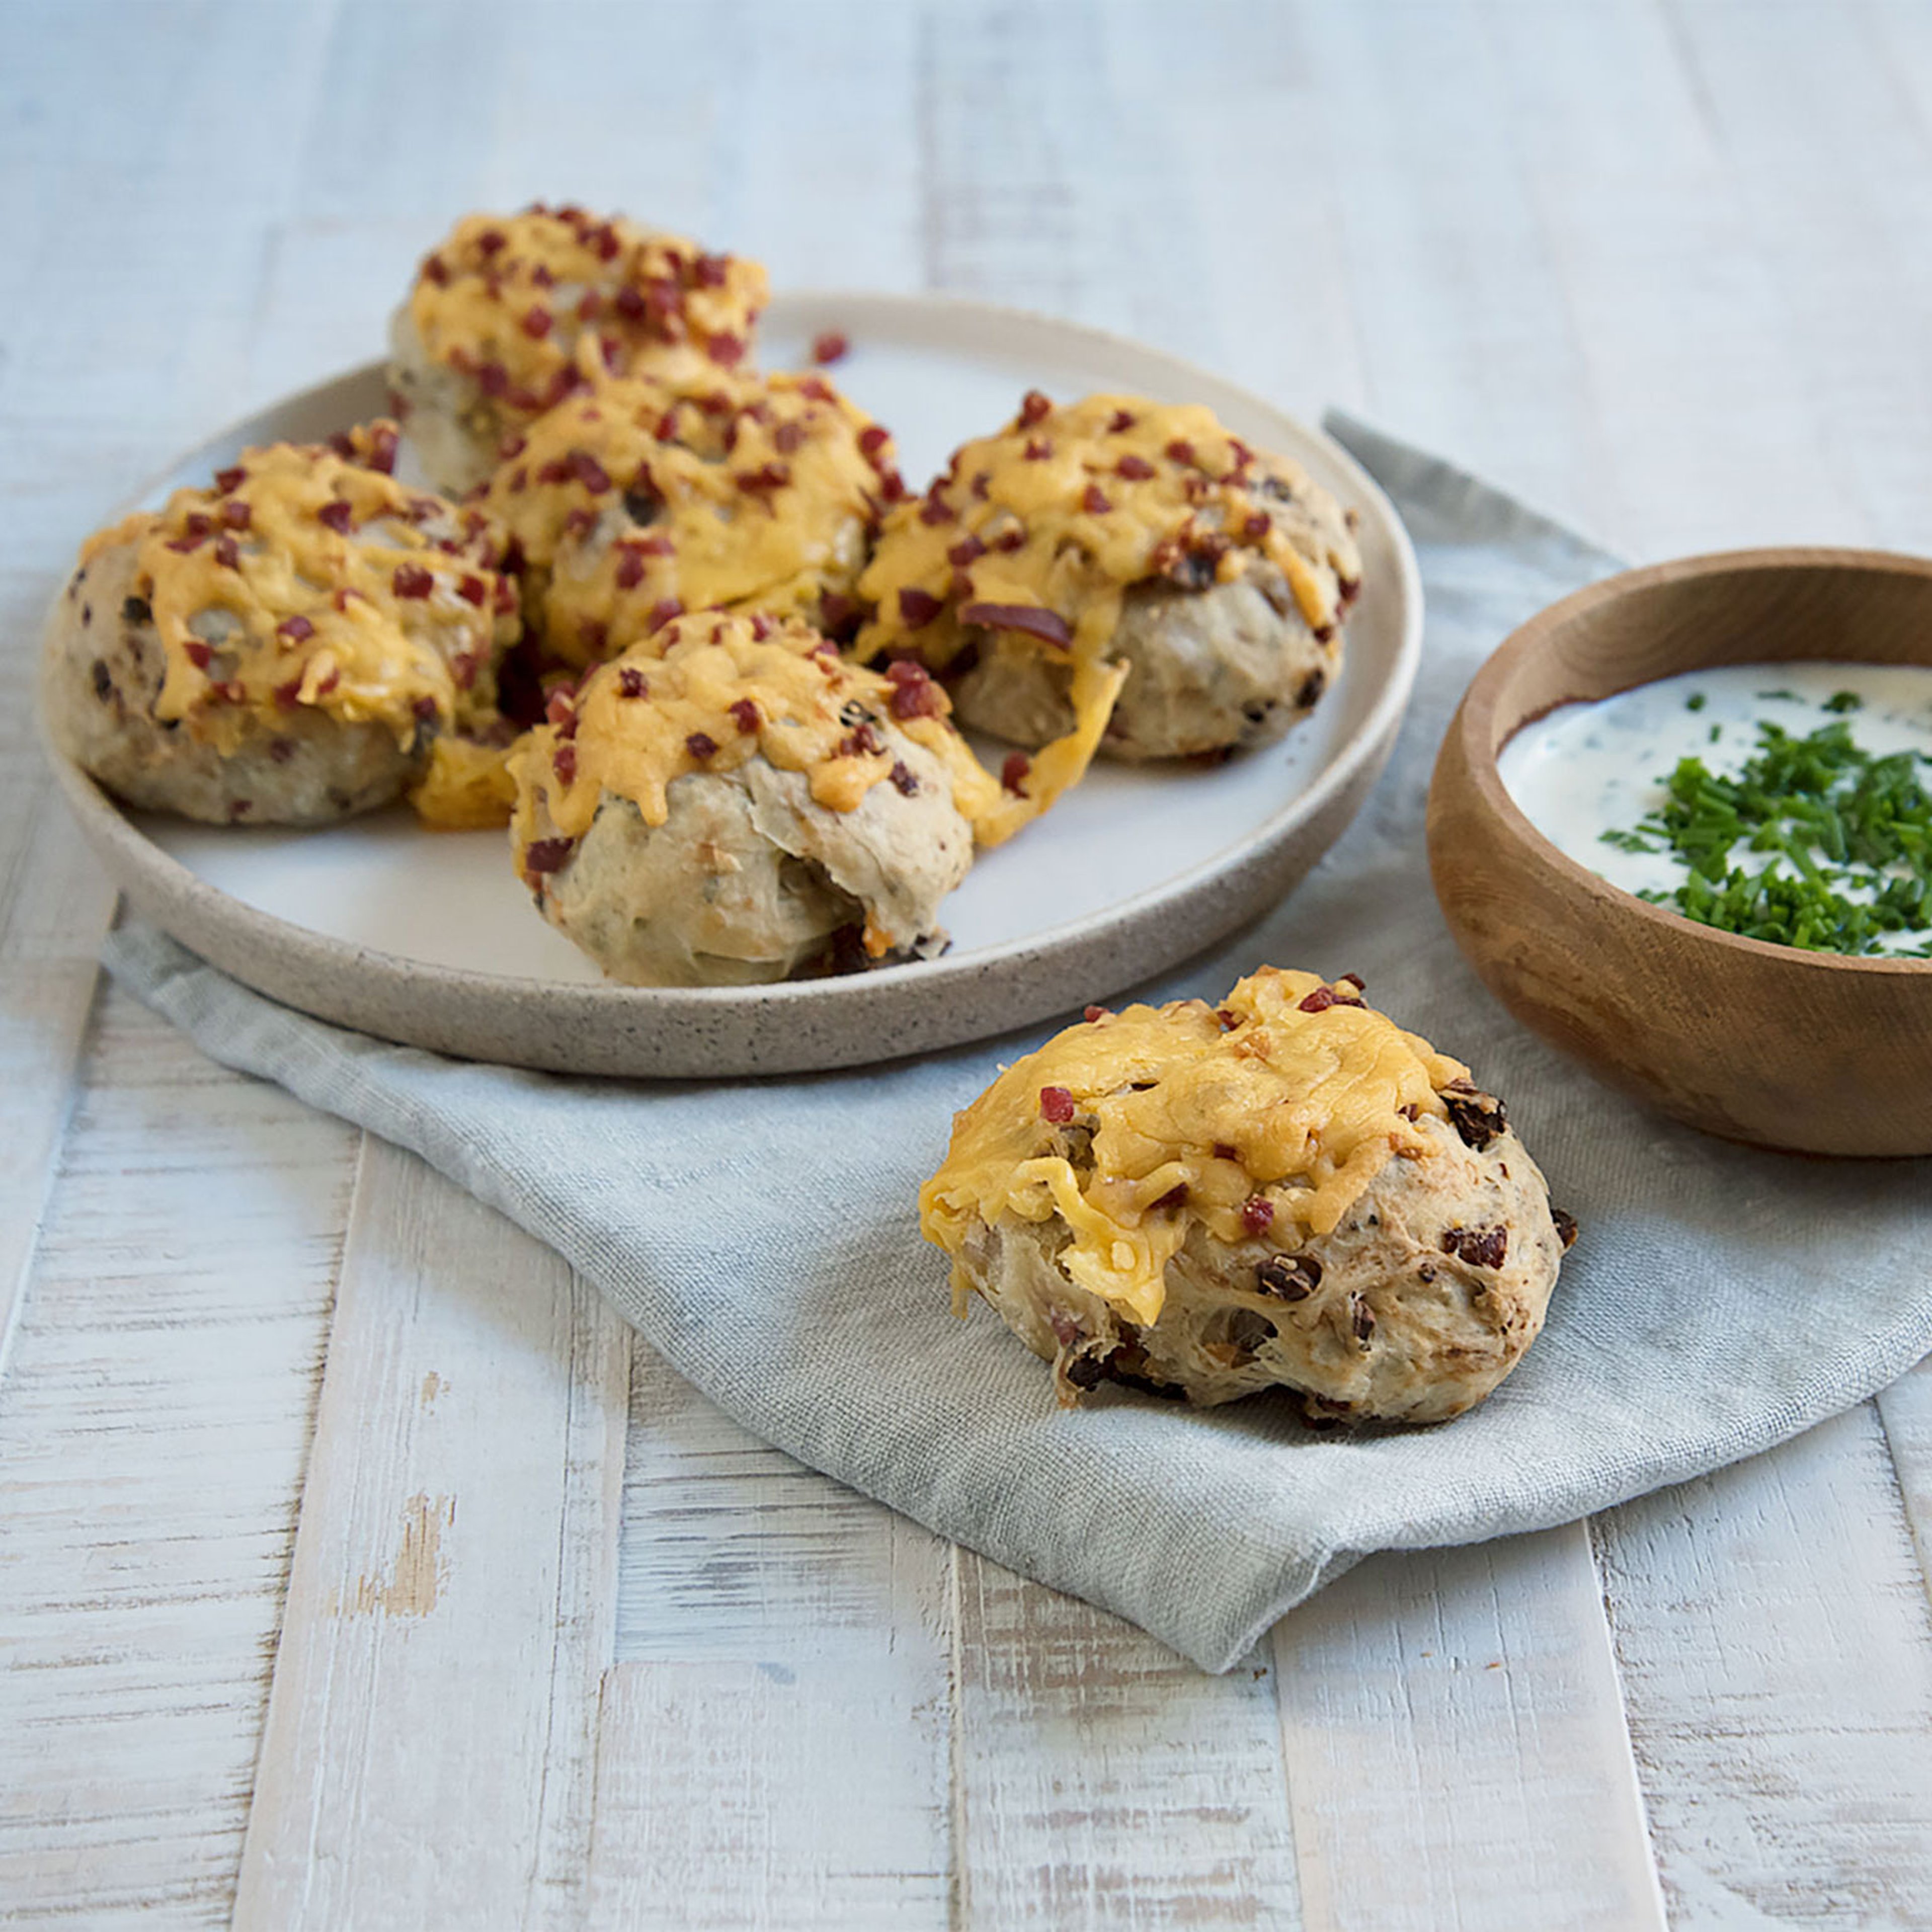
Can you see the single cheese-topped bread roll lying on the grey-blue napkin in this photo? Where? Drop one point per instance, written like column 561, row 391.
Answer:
column 1288, row 1191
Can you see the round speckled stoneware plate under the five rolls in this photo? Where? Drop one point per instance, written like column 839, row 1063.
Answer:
column 430, row 938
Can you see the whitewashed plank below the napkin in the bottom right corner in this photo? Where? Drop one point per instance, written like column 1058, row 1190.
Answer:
column 1776, row 1649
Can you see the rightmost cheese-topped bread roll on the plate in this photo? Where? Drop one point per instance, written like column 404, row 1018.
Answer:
column 1120, row 540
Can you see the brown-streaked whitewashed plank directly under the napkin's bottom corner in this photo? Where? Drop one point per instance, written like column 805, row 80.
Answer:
column 1106, row 1782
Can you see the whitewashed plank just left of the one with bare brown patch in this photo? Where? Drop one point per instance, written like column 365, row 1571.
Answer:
column 154, row 1429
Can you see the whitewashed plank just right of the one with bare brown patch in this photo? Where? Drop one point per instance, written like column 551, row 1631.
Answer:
column 776, row 1740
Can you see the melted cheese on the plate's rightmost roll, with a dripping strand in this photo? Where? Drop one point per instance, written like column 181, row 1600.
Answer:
column 1033, row 538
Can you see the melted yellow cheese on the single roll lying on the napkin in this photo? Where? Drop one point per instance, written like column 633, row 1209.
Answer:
column 1139, row 1123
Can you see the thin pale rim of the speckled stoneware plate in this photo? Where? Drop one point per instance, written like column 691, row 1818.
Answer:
column 161, row 872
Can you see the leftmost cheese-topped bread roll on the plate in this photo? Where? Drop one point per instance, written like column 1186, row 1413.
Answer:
column 283, row 646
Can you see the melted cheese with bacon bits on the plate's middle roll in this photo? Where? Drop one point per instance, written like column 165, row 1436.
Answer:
column 712, row 492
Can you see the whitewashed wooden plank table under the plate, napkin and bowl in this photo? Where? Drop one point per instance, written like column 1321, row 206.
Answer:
column 356, row 1566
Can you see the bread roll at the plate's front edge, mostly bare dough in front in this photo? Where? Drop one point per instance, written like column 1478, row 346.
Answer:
column 729, row 803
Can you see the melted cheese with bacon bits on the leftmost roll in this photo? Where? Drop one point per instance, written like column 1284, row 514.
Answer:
column 312, row 577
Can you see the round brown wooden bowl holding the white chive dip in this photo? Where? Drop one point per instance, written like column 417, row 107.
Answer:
column 1742, row 1038
